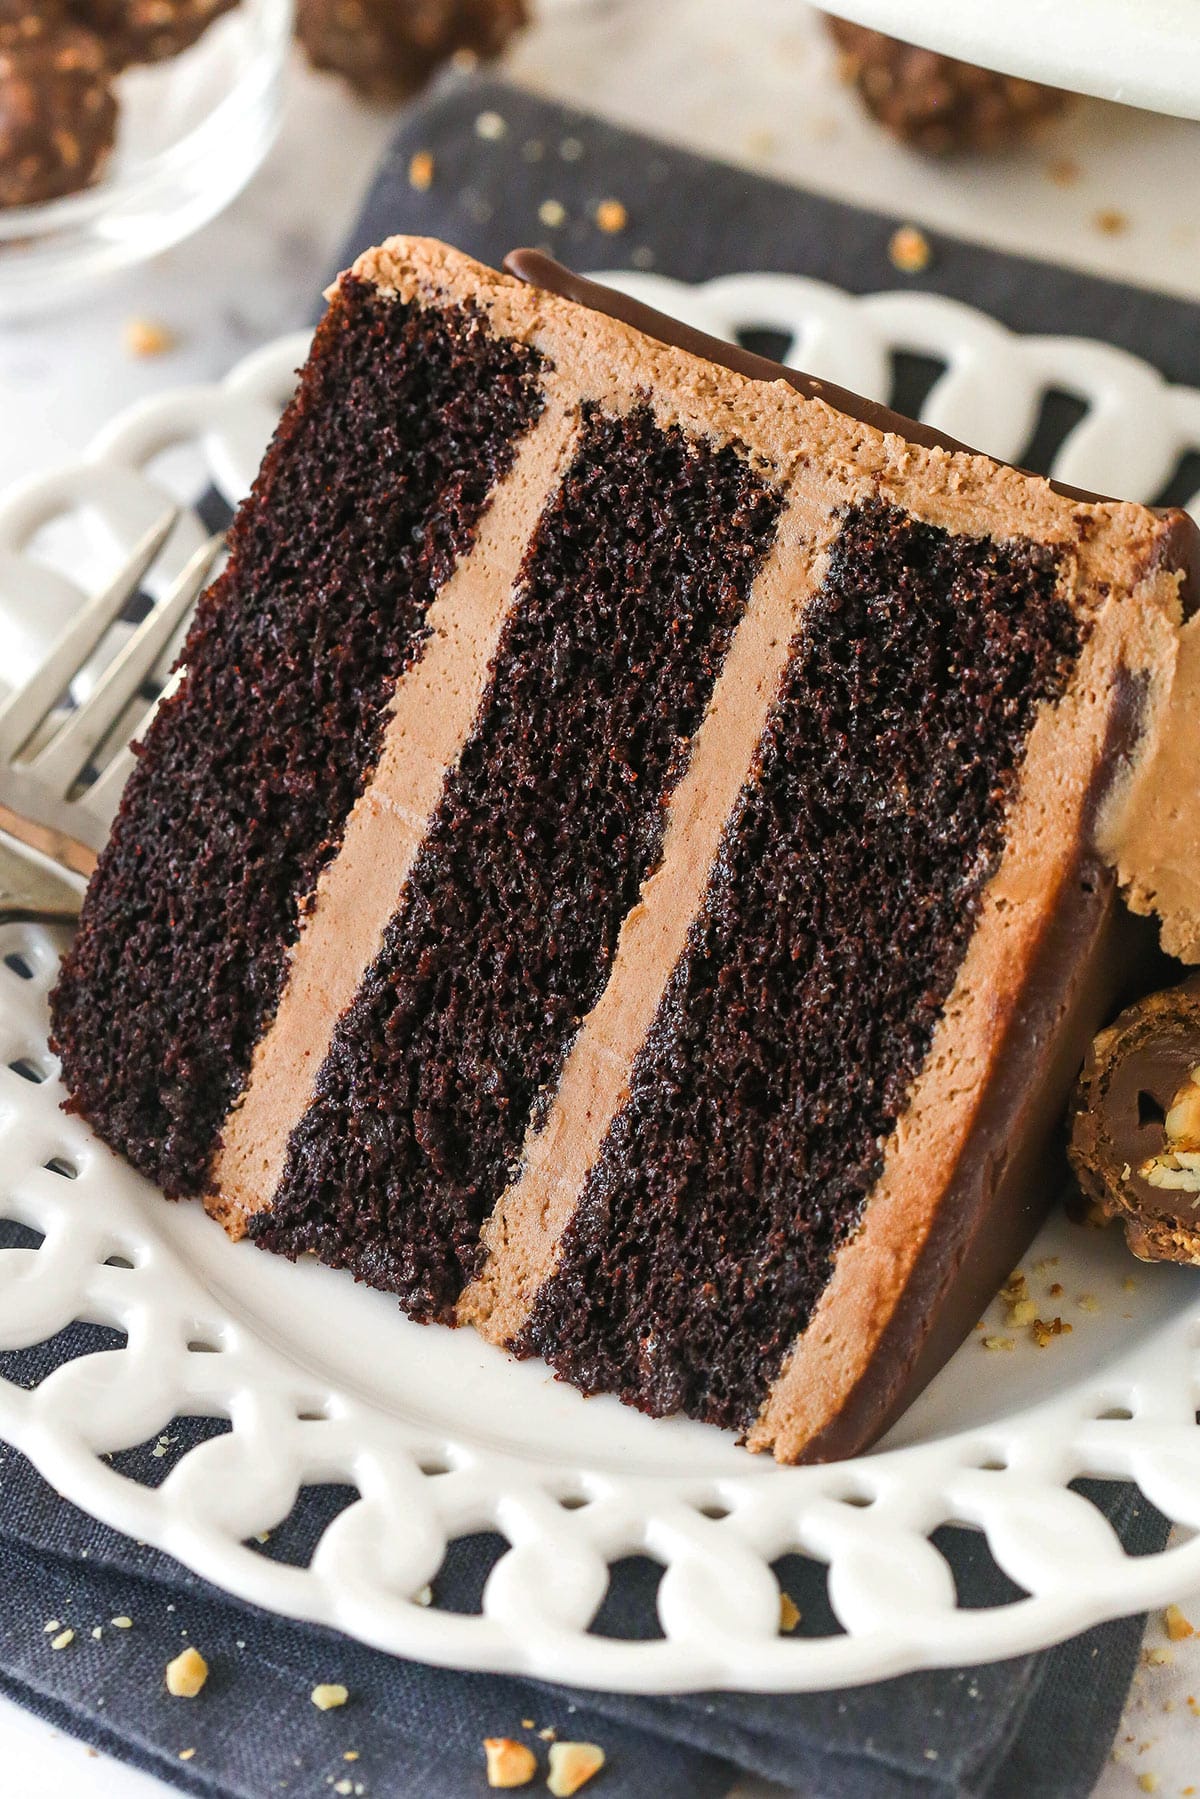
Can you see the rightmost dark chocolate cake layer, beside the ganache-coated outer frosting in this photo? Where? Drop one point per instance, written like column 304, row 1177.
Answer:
column 845, row 895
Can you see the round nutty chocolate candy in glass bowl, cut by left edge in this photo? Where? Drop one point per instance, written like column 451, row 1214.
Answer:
column 58, row 116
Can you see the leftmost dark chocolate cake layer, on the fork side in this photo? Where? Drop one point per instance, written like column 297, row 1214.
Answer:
column 361, row 510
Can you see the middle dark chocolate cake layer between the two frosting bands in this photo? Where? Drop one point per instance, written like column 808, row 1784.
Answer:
column 553, row 819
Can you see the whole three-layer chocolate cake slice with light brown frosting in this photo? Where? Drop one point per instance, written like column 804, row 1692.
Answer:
column 632, row 861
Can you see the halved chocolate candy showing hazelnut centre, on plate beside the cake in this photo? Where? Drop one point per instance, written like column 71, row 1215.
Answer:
column 1136, row 1125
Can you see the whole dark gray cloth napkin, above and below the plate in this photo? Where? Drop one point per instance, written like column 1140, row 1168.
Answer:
column 1034, row 1728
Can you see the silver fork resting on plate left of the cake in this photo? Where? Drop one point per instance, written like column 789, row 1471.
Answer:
column 51, row 825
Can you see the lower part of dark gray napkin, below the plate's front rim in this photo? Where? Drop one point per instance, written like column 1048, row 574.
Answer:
column 1032, row 1728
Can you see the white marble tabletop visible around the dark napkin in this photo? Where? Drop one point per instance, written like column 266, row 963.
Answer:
column 751, row 84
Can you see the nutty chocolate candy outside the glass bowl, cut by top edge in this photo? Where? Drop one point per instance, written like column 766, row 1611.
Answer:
column 388, row 51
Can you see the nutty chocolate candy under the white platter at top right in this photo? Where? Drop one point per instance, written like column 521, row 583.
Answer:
column 936, row 103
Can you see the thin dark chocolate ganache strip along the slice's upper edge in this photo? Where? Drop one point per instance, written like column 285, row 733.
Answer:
column 1179, row 546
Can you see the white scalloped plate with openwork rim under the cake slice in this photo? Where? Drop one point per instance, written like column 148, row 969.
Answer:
column 325, row 1383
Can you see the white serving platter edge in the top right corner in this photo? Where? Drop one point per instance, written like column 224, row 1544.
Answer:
column 1142, row 53
